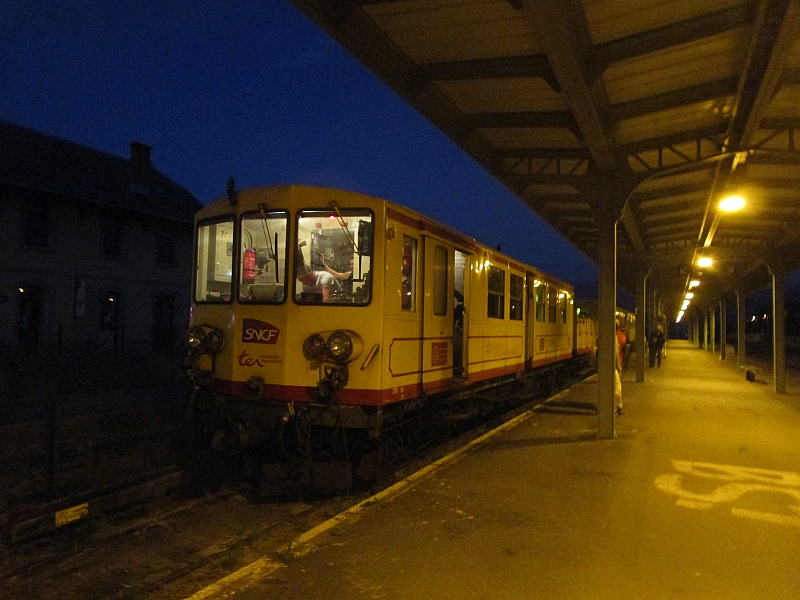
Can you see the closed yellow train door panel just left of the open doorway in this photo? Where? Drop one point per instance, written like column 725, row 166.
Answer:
column 437, row 331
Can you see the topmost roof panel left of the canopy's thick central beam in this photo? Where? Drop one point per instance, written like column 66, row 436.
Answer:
column 431, row 31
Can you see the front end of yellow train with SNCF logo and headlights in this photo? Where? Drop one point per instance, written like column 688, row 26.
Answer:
column 285, row 324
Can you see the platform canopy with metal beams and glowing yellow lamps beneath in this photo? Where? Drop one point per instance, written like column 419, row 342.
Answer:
column 670, row 104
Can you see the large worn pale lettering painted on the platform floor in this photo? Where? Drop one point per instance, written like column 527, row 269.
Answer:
column 735, row 482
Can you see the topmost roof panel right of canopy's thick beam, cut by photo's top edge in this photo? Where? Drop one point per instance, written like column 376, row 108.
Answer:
column 615, row 19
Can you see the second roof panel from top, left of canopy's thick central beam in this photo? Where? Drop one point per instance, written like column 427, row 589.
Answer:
column 502, row 95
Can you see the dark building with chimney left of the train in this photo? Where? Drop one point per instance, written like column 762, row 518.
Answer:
column 96, row 249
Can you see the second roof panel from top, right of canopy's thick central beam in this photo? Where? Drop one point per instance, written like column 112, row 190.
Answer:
column 678, row 67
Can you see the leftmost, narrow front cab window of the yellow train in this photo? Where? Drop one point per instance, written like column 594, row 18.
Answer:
column 214, row 260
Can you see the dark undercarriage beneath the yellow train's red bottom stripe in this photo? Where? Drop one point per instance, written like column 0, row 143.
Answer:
column 276, row 448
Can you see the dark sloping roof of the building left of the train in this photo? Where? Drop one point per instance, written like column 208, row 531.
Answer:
column 34, row 160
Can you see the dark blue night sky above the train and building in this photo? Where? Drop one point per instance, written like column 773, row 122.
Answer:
column 254, row 90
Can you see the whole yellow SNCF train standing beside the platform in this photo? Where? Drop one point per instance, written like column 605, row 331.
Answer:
column 322, row 318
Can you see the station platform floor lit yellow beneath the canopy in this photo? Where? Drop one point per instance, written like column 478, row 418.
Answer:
column 697, row 496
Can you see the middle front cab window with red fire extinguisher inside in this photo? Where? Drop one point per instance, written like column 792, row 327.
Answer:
column 264, row 257
